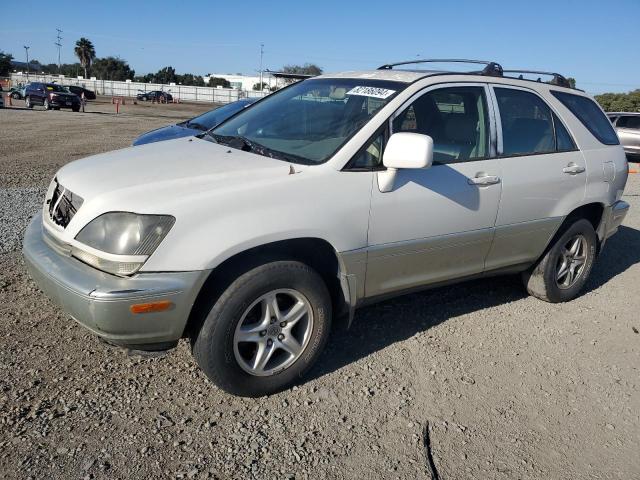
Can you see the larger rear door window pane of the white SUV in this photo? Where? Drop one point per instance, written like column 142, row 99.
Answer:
column 527, row 125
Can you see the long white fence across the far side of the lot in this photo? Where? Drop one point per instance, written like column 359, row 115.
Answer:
column 131, row 89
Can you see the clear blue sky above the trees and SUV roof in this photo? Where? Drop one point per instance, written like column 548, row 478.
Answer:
column 596, row 42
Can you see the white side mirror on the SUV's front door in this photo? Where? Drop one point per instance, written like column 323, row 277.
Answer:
column 404, row 150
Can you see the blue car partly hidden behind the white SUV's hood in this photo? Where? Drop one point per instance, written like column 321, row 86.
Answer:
column 195, row 125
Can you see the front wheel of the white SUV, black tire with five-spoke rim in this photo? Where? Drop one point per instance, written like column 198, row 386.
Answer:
column 226, row 360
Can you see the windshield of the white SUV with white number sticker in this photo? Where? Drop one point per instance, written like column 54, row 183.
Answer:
column 309, row 121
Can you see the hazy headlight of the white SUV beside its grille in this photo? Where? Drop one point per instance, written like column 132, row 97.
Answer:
column 120, row 242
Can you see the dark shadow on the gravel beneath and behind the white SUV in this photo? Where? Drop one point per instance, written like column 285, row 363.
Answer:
column 378, row 326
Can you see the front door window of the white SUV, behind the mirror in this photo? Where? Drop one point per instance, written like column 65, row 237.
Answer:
column 455, row 117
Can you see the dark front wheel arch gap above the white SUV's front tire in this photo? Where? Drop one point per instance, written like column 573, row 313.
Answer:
column 318, row 253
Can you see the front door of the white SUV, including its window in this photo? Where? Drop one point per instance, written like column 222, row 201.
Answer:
column 437, row 223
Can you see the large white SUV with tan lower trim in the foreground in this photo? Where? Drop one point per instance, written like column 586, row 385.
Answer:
column 332, row 193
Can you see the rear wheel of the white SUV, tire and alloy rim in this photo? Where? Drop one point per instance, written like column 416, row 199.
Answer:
column 551, row 279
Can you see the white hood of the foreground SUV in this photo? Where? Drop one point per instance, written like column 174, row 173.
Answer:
column 167, row 178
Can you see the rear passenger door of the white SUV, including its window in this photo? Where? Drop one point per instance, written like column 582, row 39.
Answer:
column 543, row 173
